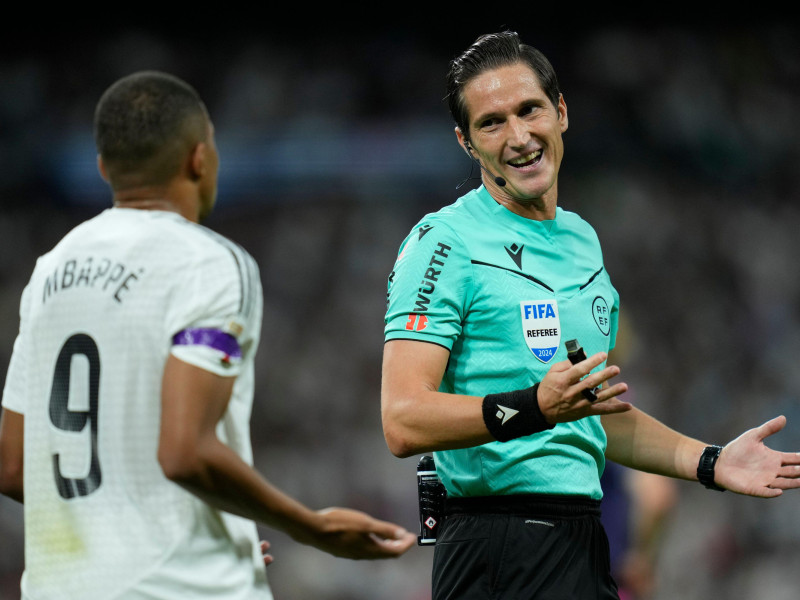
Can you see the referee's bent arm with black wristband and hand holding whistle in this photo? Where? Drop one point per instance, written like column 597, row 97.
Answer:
column 417, row 418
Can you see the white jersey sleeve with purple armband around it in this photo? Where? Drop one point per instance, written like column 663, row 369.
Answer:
column 215, row 319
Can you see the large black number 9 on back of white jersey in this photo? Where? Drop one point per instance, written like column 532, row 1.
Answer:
column 69, row 420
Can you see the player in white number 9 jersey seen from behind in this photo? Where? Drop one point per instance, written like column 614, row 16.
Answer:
column 130, row 386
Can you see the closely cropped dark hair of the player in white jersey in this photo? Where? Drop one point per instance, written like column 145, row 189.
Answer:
column 145, row 125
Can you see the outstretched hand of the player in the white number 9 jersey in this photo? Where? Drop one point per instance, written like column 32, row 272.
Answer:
column 353, row 534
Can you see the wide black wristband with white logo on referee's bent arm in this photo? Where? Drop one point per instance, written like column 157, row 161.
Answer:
column 510, row 415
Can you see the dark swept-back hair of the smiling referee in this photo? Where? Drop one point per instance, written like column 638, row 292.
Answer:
column 492, row 51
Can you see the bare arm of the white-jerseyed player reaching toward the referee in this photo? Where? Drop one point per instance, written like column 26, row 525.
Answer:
column 191, row 455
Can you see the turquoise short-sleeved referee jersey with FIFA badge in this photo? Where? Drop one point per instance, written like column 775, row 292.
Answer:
column 503, row 294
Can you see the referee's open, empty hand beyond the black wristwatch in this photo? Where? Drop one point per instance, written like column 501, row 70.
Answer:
column 747, row 466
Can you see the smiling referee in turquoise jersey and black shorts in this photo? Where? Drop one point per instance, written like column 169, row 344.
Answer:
column 483, row 296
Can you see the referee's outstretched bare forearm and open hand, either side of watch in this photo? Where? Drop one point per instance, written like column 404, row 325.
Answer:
column 746, row 465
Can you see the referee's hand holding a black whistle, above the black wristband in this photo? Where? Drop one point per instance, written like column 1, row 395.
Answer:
column 560, row 392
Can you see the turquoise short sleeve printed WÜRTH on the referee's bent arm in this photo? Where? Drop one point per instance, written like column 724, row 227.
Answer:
column 429, row 287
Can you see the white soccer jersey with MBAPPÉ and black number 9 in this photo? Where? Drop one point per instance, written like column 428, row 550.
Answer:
column 98, row 318
